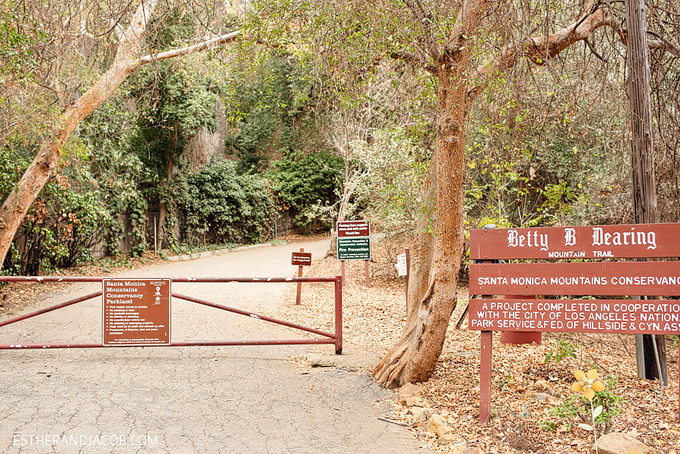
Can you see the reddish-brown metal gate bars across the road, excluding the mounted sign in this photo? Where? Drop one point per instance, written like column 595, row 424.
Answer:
column 328, row 338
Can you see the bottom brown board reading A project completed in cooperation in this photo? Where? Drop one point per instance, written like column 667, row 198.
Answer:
column 576, row 316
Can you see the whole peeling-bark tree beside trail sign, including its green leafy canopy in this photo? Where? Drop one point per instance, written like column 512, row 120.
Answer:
column 464, row 47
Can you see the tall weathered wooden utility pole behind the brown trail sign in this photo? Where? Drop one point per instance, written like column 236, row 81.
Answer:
column 651, row 351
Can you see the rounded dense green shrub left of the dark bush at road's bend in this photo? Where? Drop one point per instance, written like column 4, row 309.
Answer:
column 224, row 207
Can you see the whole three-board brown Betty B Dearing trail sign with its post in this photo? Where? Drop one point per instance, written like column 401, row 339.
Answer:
column 592, row 278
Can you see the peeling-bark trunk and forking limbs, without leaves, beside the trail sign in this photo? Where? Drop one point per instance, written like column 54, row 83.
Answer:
column 438, row 255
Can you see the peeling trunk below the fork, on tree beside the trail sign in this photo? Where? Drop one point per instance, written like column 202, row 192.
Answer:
column 436, row 257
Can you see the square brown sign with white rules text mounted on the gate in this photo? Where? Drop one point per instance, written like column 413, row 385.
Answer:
column 136, row 311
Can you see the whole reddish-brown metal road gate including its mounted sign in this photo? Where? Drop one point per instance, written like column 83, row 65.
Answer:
column 127, row 294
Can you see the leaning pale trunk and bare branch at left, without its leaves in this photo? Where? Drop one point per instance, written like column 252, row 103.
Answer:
column 126, row 61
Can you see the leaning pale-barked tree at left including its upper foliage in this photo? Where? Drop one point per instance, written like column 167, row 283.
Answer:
column 73, row 61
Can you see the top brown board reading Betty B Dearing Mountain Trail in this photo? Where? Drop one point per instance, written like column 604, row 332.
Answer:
column 606, row 241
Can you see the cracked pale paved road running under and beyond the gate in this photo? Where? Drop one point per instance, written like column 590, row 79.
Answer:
column 187, row 400
